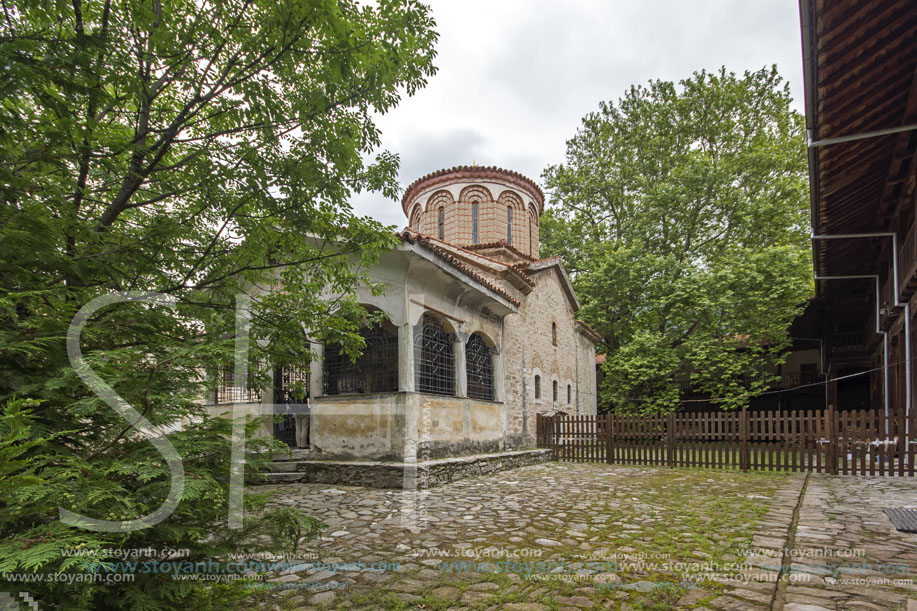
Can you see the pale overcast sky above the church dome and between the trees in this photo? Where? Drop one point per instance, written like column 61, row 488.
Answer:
column 516, row 76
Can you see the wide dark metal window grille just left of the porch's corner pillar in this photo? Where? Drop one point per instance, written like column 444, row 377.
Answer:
column 376, row 370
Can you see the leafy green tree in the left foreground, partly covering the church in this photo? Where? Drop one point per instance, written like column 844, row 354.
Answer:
column 198, row 150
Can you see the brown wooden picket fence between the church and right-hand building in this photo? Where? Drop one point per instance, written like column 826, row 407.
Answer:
column 863, row 442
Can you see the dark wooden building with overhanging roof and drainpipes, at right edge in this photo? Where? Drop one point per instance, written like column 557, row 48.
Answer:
column 860, row 62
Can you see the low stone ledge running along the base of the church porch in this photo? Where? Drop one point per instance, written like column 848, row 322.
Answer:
column 407, row 476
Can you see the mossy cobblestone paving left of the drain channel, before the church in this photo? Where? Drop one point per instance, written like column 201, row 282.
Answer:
column 551, row 536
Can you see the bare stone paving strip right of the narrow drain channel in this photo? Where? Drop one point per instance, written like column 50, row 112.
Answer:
column 848, row 551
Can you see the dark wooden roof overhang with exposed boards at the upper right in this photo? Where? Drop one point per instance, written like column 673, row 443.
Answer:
column 860, row 62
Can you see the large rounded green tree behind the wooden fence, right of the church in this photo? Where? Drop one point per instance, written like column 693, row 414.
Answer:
column 681, row 214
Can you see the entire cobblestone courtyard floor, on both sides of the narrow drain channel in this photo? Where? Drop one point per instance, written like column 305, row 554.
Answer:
column 584, row 536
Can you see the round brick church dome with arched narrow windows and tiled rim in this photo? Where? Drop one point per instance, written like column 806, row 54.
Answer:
column 473, row 205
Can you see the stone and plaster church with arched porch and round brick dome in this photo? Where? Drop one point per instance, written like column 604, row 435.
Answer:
column 481, row 335
